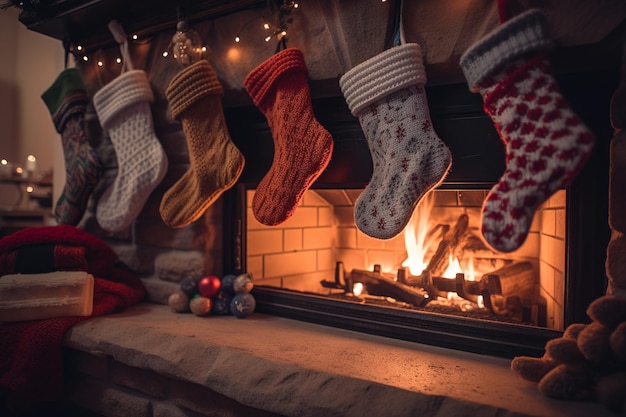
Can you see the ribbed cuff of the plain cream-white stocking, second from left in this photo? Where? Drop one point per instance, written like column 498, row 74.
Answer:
column 127, row 89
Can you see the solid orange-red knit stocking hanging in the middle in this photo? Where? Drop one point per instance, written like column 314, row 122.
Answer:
column 302, row 146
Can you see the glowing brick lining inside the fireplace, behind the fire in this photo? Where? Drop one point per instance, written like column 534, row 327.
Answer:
column 302, row 251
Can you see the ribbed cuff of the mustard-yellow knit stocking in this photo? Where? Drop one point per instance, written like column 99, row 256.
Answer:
column 190, row 85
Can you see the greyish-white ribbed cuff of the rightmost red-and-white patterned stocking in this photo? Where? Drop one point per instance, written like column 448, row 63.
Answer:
column 521, row 35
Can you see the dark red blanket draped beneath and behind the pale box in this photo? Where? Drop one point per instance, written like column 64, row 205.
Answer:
column 31, row 365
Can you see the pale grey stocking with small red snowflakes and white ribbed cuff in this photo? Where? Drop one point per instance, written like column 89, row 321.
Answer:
column 387, row 94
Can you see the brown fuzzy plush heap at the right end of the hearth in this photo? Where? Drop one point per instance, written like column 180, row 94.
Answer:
column 588, row 363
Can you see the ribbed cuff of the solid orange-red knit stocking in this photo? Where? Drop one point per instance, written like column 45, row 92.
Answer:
column 260, row 80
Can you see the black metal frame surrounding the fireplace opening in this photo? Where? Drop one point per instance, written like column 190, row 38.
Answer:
column 478, row 163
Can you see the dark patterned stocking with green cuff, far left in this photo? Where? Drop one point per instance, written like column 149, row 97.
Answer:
column 66, row 99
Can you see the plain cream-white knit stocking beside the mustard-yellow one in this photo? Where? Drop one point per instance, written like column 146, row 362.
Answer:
column 124, row 109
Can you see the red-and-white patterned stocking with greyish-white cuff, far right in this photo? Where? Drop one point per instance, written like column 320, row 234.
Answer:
column 546, row 143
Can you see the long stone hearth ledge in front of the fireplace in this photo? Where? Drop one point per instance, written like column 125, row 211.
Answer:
column 294, row 368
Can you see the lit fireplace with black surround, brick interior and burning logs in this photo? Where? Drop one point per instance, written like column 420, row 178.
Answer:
column 318, row 267
